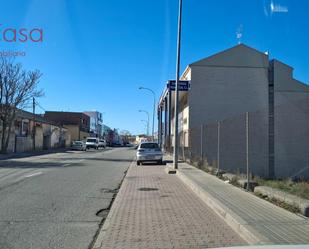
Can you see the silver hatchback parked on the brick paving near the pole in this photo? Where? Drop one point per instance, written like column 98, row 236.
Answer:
column 149, row 152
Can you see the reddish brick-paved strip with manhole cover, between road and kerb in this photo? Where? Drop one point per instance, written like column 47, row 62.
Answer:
column 156, row 210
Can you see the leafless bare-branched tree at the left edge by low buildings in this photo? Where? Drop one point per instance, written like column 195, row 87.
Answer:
column 17, row 88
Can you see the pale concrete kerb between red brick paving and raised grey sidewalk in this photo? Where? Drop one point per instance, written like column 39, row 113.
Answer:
column 232, row 219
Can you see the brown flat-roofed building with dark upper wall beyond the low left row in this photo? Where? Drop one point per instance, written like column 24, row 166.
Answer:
column 77, row 123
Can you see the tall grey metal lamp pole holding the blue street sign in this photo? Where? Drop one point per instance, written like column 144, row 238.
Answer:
column 175, row 159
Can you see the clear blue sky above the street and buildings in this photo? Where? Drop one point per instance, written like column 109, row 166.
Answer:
column 96, row 53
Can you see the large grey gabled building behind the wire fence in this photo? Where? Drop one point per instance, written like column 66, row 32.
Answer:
column 212, row 115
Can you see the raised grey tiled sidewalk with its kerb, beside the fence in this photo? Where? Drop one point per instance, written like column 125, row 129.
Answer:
column 257, row 220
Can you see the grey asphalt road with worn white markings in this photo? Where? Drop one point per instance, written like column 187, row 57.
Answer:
column 52, row 201
